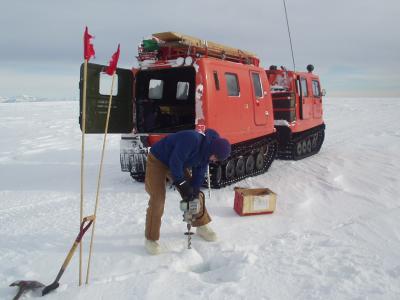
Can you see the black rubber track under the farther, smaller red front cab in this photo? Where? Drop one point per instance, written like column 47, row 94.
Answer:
column 289, row 151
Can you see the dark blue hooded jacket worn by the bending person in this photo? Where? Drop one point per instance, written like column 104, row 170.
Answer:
column 186, row 149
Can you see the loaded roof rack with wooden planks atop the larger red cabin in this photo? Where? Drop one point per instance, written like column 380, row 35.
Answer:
column 171, row 45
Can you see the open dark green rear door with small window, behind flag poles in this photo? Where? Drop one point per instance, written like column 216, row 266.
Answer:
column 97, row 100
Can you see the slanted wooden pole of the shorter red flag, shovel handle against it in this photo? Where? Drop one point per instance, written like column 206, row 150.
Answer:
column 99, row 178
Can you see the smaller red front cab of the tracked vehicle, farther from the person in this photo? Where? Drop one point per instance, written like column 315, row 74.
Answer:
column 297, row 102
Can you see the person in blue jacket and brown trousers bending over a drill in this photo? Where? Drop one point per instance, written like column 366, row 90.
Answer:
column 172, row 157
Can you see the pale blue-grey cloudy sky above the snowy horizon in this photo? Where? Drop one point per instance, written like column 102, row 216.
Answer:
column 354, row 44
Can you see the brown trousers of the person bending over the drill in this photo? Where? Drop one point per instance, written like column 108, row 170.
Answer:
column 156, row 175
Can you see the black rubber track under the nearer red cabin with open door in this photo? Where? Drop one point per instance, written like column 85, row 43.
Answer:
column 243, row 150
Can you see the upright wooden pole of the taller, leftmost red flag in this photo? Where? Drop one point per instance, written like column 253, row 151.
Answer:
column 82, row 160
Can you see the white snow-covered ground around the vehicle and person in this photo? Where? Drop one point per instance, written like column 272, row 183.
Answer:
column 335, row 233
